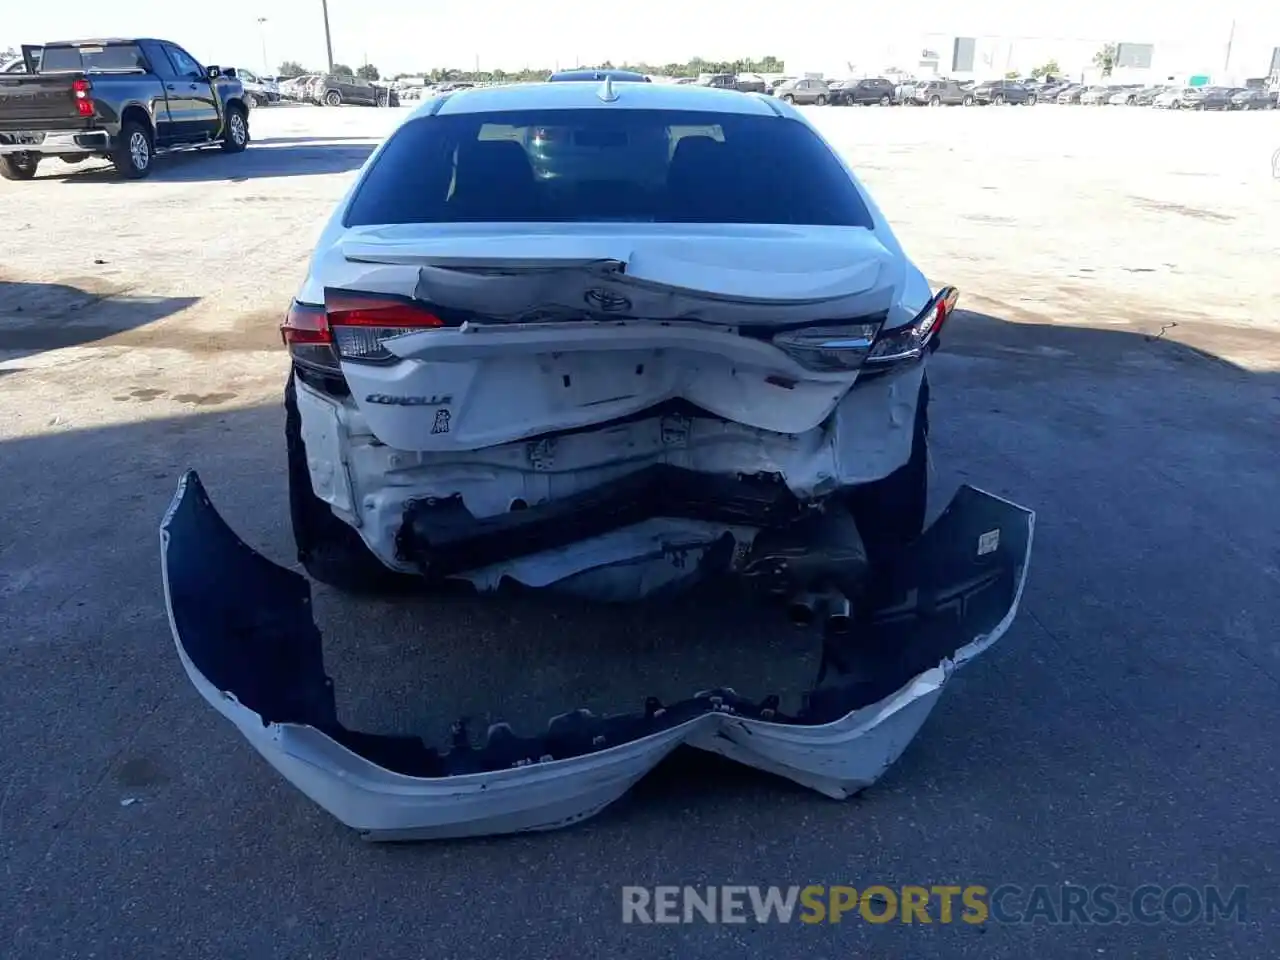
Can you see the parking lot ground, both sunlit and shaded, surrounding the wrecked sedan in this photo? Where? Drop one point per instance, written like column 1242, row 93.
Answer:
column 1118, row 371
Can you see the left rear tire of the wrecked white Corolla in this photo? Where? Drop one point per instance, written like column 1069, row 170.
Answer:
column 328, row 550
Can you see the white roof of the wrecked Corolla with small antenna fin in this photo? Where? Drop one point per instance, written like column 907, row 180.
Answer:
column 587, row 95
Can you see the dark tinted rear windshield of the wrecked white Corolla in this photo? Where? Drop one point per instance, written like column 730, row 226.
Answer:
column 601, row 166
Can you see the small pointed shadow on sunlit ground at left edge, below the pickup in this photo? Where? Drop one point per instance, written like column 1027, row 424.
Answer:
column 42, row 317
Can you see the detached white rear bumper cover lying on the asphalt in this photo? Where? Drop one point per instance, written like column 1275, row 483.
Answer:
column 248, row 641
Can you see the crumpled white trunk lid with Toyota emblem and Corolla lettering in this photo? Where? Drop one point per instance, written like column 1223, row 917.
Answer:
column 557, row 330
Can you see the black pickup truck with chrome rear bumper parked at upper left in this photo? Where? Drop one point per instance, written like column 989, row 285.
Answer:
column 126, row 100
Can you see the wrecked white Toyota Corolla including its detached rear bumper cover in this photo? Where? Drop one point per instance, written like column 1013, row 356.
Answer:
column 612, row 341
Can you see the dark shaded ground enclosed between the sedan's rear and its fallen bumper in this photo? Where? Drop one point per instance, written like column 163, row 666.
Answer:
column 524, row 659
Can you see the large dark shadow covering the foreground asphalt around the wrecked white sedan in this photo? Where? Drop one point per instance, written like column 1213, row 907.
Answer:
column 1119, row 735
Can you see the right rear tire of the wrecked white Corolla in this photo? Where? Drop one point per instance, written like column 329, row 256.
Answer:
column 890, row 513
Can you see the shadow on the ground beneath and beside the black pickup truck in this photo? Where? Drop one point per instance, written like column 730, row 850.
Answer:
column 300, row 158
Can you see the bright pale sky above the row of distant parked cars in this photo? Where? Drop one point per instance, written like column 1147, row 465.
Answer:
column 409, row 35
